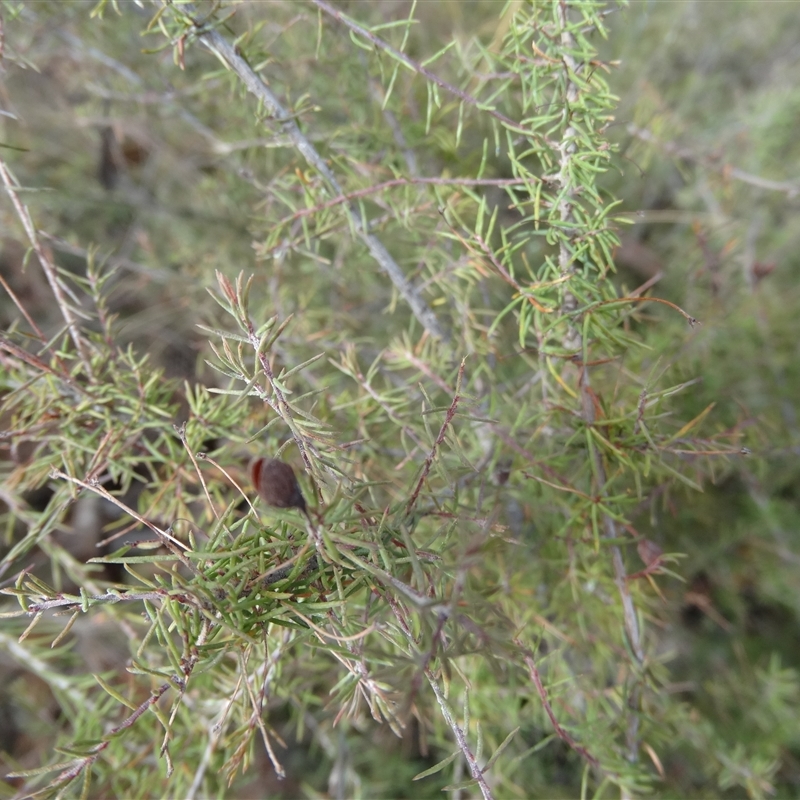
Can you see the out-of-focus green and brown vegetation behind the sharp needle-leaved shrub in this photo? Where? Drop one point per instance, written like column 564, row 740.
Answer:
column 164, row 172
